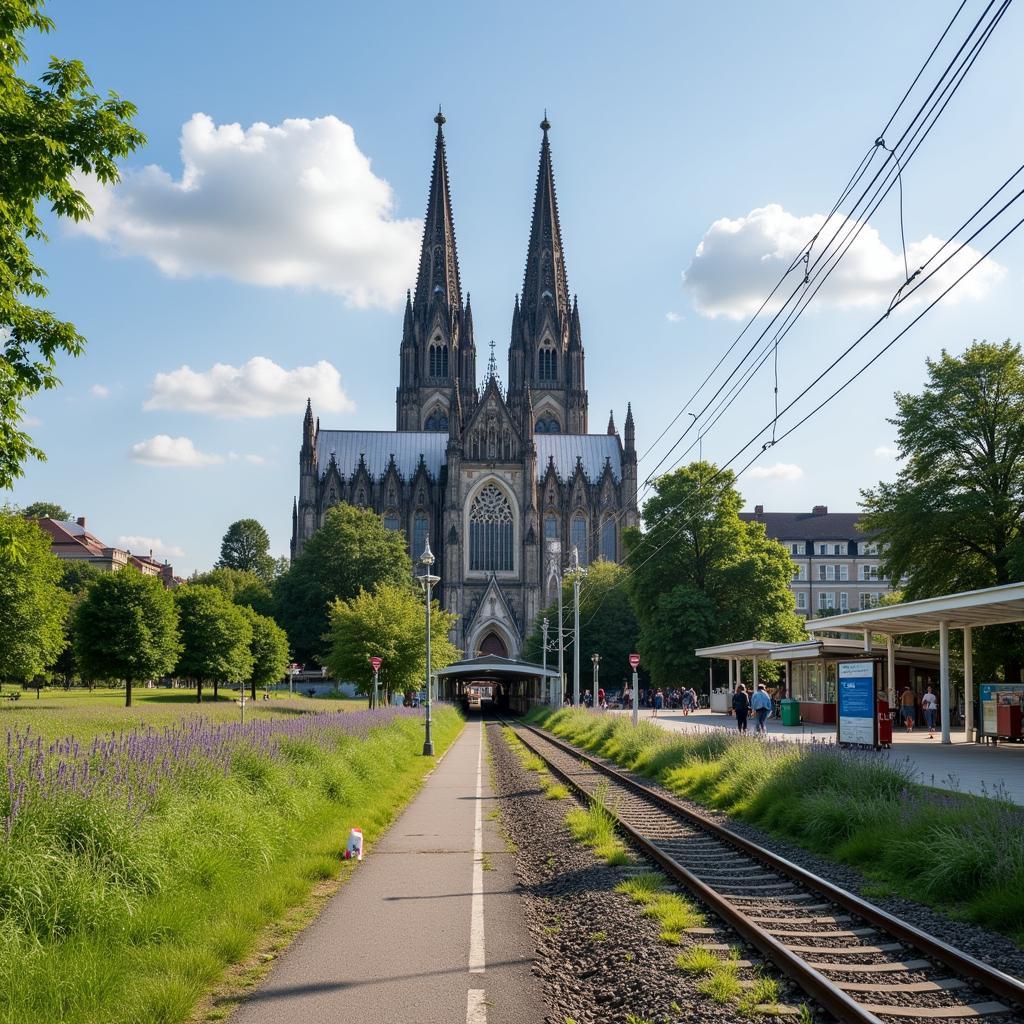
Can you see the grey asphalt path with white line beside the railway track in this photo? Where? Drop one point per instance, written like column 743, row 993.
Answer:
column 429, row 930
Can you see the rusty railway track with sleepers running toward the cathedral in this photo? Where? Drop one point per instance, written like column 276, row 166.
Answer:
column 859, row 962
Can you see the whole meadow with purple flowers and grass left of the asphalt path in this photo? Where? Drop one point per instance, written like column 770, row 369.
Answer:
column 146, row 850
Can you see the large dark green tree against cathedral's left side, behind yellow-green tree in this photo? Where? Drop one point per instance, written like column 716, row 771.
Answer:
column 353, row 551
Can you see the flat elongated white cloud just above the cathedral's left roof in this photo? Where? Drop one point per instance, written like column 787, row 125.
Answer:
column 259, row 389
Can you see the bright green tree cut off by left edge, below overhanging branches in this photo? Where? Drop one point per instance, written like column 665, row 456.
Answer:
column 33, row 607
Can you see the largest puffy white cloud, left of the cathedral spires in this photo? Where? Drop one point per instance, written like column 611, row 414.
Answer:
column 289, row 205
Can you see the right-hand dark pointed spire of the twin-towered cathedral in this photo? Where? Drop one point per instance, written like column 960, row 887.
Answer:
column 545, row 283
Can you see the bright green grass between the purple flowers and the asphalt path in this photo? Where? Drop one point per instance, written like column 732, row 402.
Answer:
column 129, row 918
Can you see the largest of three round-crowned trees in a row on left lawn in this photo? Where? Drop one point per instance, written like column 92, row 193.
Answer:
column 126, row 628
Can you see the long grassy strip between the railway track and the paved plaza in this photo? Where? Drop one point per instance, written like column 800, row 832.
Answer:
column 851, row 807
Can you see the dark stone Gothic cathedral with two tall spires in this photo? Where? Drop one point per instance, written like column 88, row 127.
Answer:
column 492, row 476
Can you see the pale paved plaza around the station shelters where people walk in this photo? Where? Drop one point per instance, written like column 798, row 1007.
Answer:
column 969, row 767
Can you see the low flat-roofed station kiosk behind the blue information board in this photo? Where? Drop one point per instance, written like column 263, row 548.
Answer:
column 810, row 671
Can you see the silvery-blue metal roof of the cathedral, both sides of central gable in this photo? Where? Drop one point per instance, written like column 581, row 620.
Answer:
column 377, row 447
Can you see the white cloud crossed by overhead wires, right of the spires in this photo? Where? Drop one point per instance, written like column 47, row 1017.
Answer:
column 739, row 262
